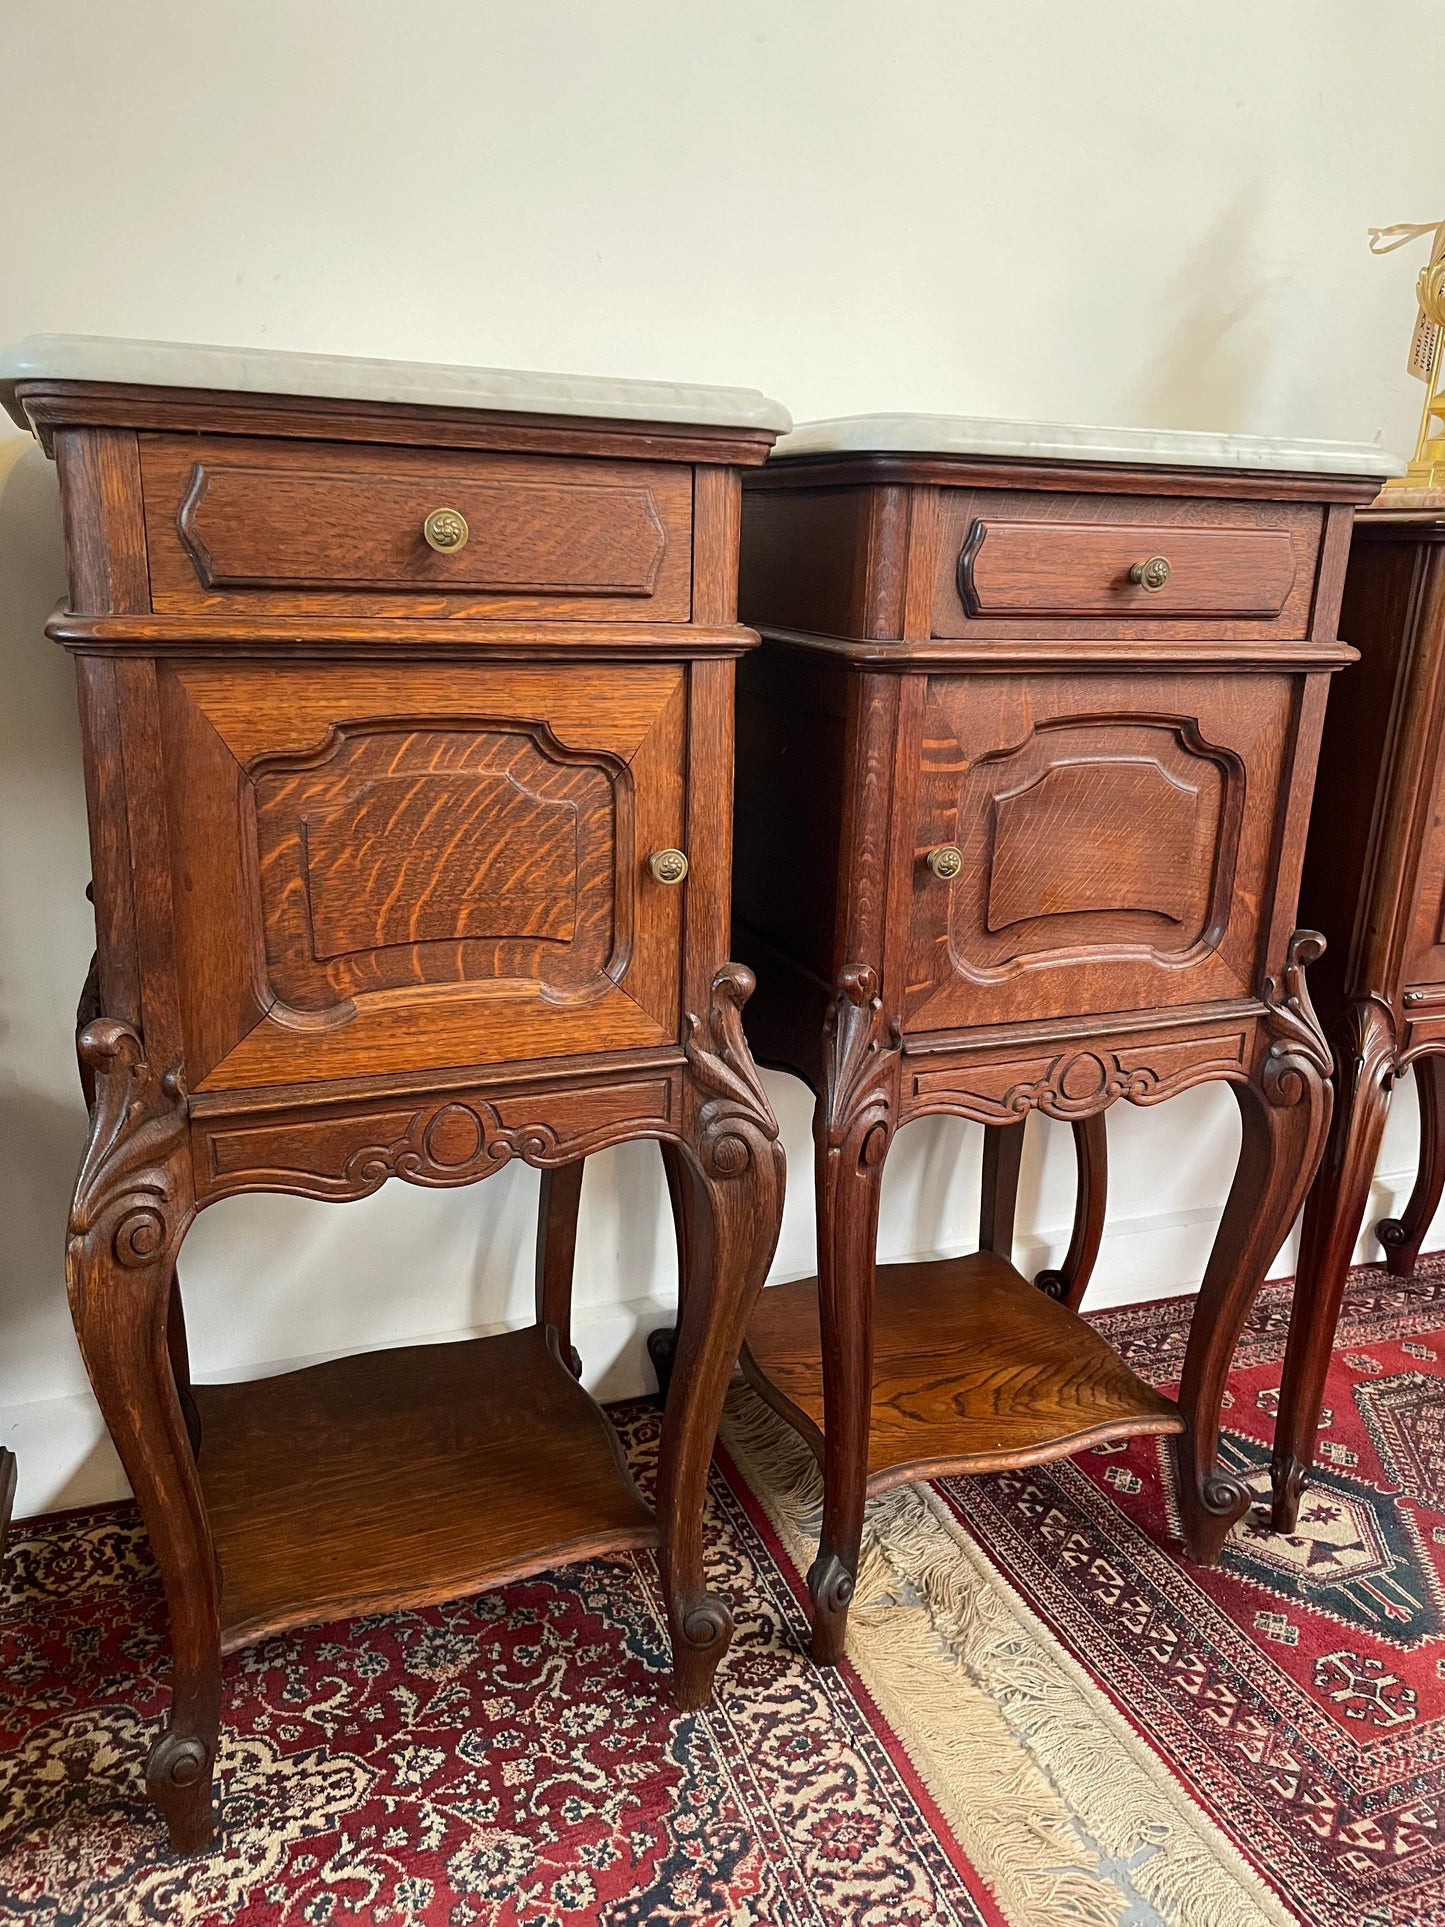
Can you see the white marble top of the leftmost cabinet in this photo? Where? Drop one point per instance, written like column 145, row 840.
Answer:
column 355, row 379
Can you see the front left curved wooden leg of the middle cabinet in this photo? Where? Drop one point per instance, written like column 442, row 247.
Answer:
column 853, row 1130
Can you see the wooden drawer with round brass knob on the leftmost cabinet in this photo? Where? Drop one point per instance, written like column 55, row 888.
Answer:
column 327, row 527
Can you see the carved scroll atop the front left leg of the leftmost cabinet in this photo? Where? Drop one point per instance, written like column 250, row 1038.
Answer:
column 132, row 1196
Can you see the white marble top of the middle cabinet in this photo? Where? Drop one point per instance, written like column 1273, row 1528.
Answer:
column 1178, row 448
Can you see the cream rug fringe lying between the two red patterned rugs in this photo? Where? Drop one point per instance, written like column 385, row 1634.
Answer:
column 1036, row 1772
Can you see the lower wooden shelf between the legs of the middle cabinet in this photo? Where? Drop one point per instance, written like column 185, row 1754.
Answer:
column 974, row 1371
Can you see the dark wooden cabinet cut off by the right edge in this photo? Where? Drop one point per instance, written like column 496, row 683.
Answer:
column 1375, row 884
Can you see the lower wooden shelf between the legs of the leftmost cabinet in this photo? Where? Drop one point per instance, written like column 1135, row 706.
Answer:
column 406, row 1477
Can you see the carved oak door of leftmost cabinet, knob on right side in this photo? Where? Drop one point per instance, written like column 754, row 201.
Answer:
column 421, row 866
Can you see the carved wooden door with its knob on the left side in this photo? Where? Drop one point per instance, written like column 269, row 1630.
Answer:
column 1117, row 841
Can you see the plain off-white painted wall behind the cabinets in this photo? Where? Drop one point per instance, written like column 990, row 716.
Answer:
column 1120, row 213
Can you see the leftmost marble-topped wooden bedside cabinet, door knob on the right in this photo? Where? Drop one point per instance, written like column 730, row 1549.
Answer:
column 407, row 712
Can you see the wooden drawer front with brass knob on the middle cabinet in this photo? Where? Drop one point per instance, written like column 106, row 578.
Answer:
column 1041, row 566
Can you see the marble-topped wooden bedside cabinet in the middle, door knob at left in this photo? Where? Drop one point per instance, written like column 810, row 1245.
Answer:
column 1024, row 772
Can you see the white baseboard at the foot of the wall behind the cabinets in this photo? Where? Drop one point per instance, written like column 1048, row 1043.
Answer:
column 66, row 1458
